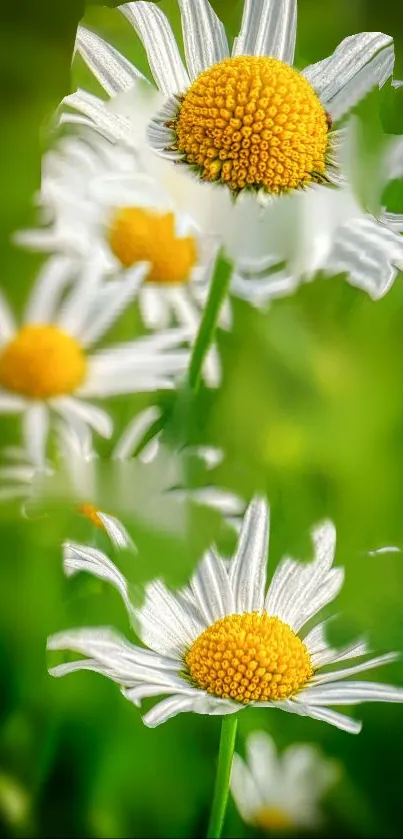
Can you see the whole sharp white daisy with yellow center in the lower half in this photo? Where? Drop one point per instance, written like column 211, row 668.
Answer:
column 221, row 644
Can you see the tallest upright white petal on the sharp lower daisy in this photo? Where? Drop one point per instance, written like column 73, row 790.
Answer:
column 248, row 566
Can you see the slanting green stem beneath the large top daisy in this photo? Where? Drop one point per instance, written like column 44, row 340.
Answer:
column 218, row 290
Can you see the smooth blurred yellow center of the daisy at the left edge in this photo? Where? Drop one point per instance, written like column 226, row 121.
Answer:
column 42, row 361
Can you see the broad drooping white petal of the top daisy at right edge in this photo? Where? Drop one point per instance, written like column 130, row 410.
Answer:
column 369, row 253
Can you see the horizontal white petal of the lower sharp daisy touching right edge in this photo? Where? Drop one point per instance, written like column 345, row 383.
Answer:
column 350, row 693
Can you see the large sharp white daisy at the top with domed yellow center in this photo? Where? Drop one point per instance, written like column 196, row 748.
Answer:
column 246, row 125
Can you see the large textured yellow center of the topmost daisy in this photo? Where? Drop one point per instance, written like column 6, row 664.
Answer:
column 253, row 121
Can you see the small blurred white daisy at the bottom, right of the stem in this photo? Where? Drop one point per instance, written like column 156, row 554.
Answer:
column 277, row 793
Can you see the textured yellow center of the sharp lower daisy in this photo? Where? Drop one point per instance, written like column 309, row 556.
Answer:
column 249, row 657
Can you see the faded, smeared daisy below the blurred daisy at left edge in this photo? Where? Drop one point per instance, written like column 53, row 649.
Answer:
column 150, row 486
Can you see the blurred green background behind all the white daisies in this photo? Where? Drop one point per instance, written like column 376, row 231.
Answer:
column 311, row 411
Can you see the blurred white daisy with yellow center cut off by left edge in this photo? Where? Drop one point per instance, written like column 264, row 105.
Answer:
column 45, row 366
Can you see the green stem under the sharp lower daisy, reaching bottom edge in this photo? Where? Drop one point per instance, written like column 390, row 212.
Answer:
column 227, row 743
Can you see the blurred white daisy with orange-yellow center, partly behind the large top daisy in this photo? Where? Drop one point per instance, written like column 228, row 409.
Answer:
column 97, row 202
